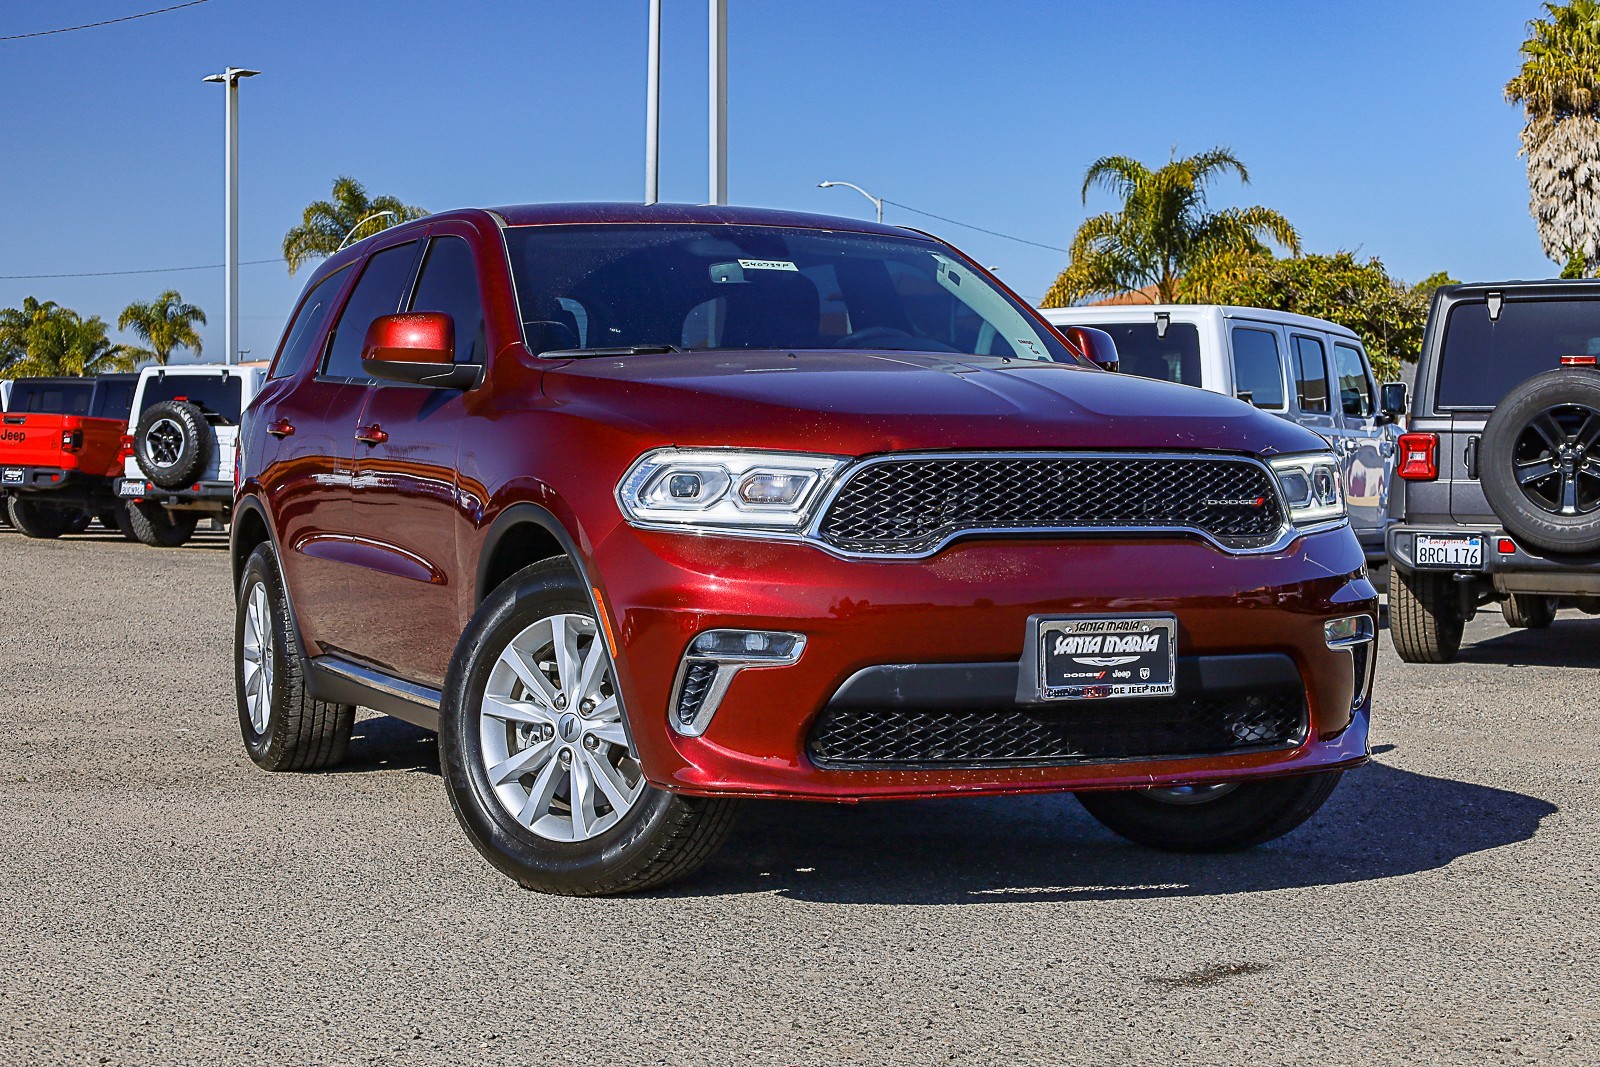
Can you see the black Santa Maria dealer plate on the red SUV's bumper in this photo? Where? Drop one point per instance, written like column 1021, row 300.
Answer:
column 1084, row 658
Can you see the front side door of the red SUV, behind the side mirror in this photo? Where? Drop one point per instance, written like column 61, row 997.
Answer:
column 407, row 511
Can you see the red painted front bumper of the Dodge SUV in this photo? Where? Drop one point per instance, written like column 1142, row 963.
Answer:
column 967, row 610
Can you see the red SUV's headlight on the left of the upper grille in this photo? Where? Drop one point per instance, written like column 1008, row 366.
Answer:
column 719, row 489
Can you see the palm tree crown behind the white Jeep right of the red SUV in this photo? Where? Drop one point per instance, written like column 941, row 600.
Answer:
column 1164, row 239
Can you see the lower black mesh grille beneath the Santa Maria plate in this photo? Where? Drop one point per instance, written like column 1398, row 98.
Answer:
column 1082, row 732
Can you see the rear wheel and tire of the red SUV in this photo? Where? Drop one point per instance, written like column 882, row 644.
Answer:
column 284, row 729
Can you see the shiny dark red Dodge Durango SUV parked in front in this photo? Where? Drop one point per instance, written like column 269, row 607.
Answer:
column 647, row 510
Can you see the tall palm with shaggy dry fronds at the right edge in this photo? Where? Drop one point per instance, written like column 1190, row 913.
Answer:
column 1559, row 89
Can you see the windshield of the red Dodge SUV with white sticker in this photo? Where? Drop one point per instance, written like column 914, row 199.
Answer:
column 756, row 287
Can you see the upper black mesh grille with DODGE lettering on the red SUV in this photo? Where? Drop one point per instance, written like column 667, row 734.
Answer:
column 913, row 505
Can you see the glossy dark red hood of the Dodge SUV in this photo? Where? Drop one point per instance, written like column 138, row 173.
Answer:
column 871, row 402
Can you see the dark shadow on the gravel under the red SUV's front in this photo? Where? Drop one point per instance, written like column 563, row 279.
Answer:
column 1380, row 823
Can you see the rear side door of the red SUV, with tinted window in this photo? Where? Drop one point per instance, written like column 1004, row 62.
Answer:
column 316, row 465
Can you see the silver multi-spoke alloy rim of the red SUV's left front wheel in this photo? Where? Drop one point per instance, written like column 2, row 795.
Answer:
column 551, row 729
